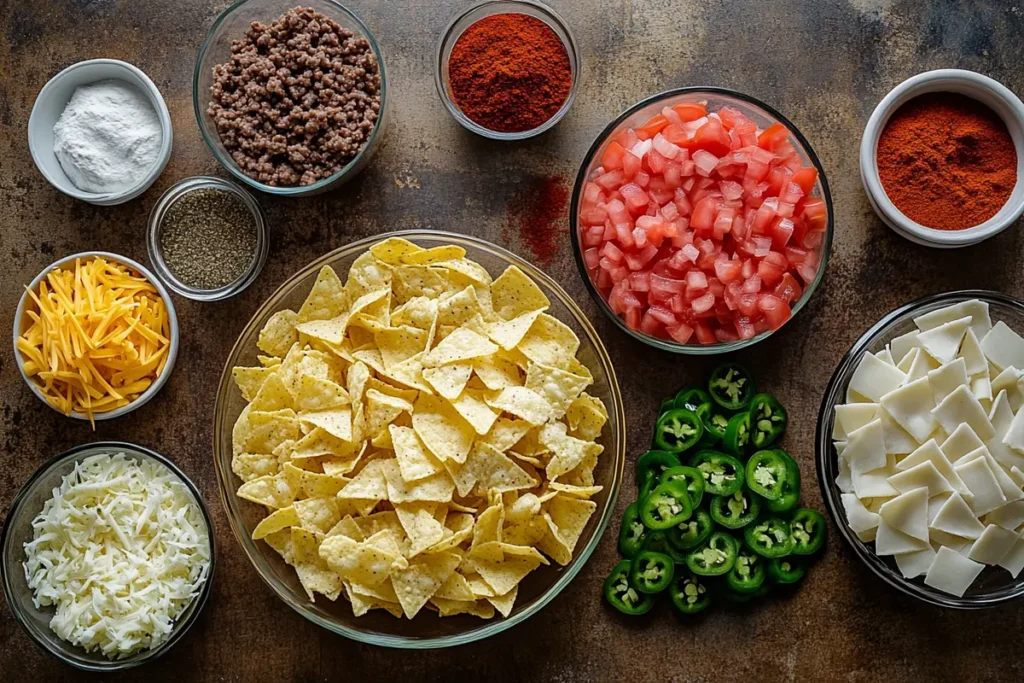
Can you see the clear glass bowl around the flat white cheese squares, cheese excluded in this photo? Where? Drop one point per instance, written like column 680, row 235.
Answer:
column 995, row 586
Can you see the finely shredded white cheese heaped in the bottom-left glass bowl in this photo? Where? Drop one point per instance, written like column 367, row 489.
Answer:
column 121, row 550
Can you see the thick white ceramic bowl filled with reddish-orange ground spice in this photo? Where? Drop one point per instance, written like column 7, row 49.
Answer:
column 943, row 159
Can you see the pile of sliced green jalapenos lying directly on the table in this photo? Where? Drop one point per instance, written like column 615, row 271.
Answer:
column 718, row 513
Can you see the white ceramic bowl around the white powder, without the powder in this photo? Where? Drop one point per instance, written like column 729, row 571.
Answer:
column 51, row 104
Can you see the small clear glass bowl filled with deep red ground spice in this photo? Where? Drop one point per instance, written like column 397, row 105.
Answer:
column 507, row 70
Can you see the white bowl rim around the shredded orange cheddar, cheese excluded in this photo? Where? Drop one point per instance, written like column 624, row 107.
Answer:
column 21, row 322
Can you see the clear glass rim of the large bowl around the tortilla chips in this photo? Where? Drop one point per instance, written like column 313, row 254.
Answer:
column 488, row 628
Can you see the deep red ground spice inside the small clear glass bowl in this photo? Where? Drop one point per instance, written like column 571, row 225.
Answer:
column 509, row 73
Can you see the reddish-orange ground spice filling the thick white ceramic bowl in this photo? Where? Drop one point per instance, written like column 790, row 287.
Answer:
column 948, row 161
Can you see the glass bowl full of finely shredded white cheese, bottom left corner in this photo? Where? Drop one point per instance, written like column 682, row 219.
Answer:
column 108, row 557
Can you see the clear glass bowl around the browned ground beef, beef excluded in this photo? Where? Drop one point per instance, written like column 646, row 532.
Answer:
column 232, row 26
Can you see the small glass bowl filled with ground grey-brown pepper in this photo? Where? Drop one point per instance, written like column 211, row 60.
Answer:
column 208, row 239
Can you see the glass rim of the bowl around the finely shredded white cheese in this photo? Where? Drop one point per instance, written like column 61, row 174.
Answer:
column 181, row 628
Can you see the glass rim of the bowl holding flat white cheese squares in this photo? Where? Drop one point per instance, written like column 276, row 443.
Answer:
column 824, row 454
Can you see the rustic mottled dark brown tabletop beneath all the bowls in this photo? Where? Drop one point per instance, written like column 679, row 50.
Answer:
column 824, row 63
